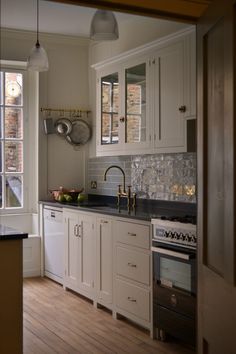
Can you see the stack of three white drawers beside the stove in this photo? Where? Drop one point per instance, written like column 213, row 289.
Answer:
column 132, row 271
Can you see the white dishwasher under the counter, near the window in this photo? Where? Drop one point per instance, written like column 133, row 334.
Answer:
column 53, row 243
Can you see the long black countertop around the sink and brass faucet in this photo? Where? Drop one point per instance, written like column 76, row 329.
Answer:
column 145, row 209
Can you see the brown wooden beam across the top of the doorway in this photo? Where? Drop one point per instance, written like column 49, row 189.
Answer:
column 178, row 10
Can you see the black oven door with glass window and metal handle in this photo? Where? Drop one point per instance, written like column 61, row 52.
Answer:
column 174, row 267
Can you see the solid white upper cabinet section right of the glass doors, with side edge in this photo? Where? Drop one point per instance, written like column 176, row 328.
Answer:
column 174, row 94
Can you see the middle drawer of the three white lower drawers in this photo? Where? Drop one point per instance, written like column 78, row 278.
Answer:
column 133, row 265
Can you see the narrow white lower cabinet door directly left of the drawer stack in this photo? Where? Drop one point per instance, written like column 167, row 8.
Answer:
column 104, row 261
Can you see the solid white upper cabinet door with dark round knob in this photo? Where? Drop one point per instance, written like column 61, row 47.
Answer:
column 169, row 97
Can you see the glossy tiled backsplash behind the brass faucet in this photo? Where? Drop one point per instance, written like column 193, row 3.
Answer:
column 159, row 176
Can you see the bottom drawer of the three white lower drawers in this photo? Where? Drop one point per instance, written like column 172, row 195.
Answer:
column 133, row 299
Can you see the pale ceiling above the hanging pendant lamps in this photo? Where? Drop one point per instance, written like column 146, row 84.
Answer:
column 54, row 17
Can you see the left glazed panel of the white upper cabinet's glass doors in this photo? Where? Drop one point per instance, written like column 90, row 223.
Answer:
column 109, row 109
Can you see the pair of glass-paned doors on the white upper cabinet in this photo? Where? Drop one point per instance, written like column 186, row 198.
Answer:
column 122, row 108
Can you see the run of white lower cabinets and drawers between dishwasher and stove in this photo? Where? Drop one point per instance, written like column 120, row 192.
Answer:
column 108, row 260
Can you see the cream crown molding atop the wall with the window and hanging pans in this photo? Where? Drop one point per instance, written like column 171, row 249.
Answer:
column 10, row 33
